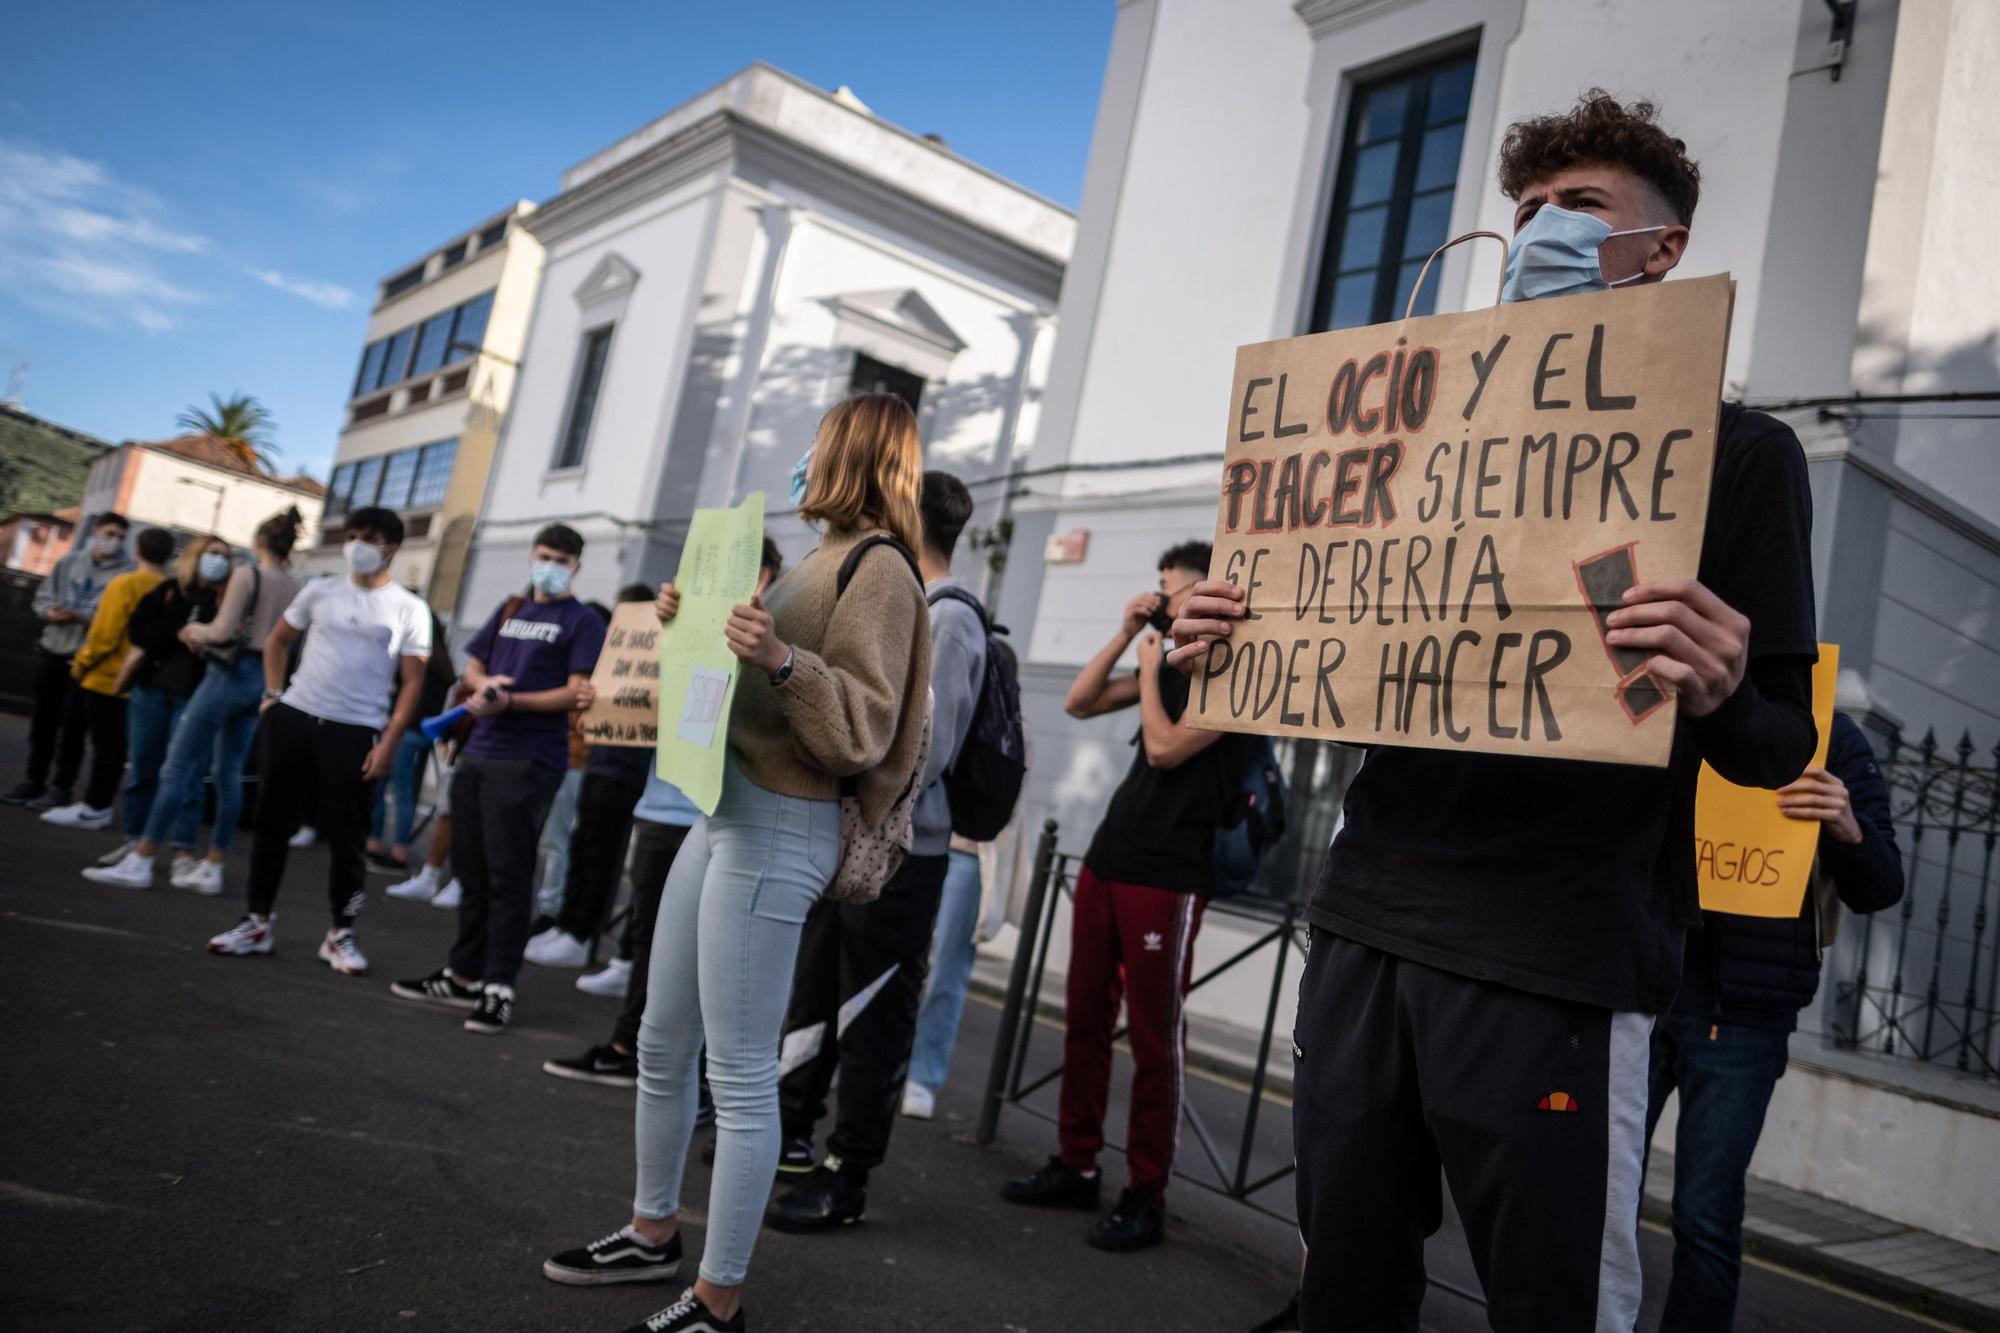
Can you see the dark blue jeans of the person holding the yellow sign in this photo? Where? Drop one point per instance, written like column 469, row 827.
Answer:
column 1725, row 1088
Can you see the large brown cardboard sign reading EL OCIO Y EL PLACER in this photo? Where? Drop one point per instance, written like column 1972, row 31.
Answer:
column 1431, row 517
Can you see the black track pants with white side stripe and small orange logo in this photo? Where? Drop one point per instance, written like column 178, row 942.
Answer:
column 1533, row 1108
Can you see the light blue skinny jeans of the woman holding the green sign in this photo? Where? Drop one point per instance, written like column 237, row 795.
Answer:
column 723, row 954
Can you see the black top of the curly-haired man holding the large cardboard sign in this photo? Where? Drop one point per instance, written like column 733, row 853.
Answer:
column 1557, row 876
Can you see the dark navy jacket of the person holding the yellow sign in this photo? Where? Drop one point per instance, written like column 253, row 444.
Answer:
column 1761, row 972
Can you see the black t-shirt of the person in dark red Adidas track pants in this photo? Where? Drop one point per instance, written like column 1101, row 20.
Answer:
column 1161, row 828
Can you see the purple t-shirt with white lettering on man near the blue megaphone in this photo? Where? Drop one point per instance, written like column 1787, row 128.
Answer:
column 541, row 645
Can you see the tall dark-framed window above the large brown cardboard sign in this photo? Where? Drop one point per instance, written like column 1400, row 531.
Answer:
column 1393, row 201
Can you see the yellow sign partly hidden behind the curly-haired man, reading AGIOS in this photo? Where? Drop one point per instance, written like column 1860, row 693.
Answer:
column 1751, row 858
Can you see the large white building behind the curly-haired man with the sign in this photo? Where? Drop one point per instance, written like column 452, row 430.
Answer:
column 1265, row 169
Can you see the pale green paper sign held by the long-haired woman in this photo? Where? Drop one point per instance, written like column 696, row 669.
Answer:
column 719, row 569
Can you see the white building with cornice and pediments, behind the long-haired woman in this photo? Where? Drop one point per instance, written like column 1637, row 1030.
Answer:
column 717, row 281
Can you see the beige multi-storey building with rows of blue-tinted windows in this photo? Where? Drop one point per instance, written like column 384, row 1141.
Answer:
column 437, row 373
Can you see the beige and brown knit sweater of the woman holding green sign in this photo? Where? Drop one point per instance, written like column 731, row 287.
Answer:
column 859, row 686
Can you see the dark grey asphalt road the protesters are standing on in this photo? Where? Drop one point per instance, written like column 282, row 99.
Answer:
column 257, row 1144
